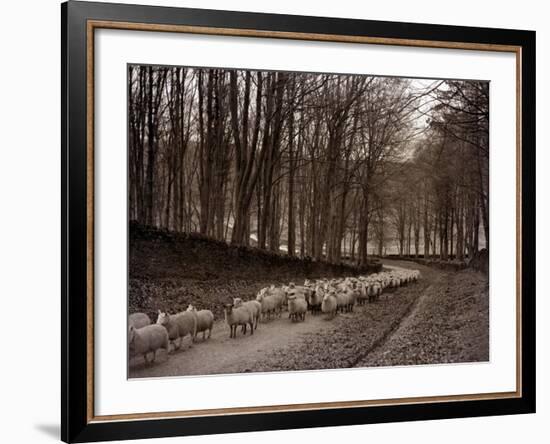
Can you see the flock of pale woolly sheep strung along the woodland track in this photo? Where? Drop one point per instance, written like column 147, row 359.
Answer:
column 329, row 296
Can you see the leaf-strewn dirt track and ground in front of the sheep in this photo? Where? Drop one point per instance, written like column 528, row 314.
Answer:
column 442, row 318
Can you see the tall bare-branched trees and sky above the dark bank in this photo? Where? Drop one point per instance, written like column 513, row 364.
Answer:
column 333, row 167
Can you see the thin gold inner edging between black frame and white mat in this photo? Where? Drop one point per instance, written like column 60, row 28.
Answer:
column 92, row 25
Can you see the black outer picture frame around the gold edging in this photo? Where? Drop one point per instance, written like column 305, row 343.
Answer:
column 76, row 328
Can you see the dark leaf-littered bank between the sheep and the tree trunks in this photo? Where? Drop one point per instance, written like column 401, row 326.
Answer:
column 169, row 270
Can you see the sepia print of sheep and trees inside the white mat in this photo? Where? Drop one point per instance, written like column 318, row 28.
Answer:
column 296, row 221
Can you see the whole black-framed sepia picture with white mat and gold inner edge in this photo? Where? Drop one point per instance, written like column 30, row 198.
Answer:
column 276, row 221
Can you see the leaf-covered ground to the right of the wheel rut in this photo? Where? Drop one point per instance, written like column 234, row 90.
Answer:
column 448, row 324
